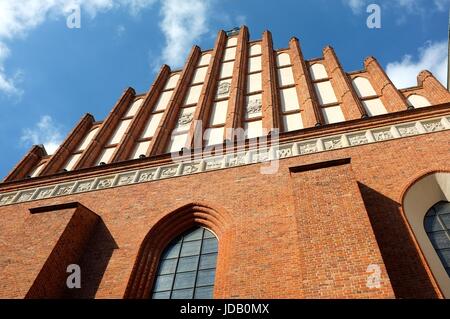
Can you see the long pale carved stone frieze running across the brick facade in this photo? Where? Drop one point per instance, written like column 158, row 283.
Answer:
column 249, row 157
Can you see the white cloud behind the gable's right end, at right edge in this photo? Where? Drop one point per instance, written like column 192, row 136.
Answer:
column 432, row 57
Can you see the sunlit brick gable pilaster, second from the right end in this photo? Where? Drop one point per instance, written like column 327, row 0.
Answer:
column 392, row 99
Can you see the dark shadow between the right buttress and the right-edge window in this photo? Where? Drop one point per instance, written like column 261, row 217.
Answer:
column 404, row 266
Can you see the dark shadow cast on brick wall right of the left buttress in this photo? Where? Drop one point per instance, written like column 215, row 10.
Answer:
column 94, row 262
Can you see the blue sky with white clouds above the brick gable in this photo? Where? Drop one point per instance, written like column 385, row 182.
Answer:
column 50, row 75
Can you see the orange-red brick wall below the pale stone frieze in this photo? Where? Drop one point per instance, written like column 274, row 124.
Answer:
column 276, row 239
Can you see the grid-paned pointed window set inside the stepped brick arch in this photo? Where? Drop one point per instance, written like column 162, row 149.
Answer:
column 187, row 267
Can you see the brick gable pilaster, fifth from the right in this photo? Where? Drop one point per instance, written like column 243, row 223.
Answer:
column 270, row 101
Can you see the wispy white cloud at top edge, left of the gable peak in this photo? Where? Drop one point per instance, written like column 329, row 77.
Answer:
column 184, row 22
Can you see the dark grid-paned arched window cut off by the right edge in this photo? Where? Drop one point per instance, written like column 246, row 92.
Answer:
column 437, row 226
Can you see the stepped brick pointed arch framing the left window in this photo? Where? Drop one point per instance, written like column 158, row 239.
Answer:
column 168, row 228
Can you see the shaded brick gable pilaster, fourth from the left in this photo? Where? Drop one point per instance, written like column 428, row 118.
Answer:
column 138, row 124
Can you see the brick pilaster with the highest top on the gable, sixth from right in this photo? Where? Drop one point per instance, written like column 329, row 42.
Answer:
column 238, row 85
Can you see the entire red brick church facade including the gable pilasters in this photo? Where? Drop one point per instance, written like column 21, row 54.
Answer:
column 310, row 230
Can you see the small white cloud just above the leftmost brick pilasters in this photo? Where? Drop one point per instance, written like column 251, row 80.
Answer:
column 46, row 132
